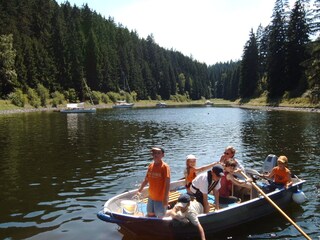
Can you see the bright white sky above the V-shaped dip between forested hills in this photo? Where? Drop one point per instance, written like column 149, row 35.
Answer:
column 209, row 31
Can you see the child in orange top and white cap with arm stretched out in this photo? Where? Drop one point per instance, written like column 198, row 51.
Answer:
column 191, row 170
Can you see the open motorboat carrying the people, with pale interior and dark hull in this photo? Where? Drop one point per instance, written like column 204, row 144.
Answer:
column 129, row 213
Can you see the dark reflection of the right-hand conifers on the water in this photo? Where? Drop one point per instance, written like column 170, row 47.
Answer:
column 293, row 134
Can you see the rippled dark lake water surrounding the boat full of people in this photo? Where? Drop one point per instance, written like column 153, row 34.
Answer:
column 57, row 170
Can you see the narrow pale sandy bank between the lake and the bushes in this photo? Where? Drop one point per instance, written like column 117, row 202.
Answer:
column 265, row 108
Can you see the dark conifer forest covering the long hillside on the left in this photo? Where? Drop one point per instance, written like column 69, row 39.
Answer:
column 58, row 46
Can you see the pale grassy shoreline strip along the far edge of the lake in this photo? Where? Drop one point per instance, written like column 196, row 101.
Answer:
column 107, row 106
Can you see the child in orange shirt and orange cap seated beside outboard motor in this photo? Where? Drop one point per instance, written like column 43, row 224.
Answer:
column 281, row 174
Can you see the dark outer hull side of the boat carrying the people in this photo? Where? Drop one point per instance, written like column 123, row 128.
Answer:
column 212, row 222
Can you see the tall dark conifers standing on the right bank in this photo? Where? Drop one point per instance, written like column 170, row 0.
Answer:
column 277, row 58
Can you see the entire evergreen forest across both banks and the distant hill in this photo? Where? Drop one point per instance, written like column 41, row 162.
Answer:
column 52, row 51
